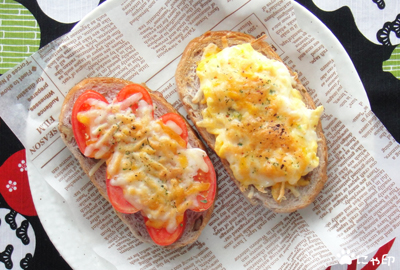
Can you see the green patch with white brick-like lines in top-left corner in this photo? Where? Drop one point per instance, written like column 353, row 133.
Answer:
column 19, row 34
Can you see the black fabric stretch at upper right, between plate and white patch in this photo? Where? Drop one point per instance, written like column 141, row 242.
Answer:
column 383, row 89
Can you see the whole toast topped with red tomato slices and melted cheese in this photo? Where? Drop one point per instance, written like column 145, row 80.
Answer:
column 147, row 162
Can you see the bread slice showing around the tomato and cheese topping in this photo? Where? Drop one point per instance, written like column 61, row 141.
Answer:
column 109, row 87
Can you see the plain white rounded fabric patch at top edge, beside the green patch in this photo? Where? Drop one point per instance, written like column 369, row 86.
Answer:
column 67, row 11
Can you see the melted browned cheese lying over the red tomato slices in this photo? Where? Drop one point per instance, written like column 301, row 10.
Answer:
column 147, row 159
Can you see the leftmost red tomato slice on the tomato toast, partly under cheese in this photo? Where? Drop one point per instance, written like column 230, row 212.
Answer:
column 80, row 130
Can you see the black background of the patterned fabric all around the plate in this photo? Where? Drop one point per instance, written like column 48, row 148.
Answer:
column 382, row 88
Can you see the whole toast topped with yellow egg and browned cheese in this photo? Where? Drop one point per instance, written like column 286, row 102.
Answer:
column 257, row 116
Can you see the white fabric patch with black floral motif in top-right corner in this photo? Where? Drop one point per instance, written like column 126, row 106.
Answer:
column 377, row 20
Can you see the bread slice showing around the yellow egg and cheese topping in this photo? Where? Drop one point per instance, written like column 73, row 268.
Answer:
column 188, row 85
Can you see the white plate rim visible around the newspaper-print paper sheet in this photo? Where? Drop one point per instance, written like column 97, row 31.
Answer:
column 55, row 215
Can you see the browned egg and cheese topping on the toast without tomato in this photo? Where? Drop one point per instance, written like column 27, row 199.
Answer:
column 261, row 124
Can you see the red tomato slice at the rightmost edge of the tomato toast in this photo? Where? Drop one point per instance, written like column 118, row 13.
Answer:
column 206, row 198
